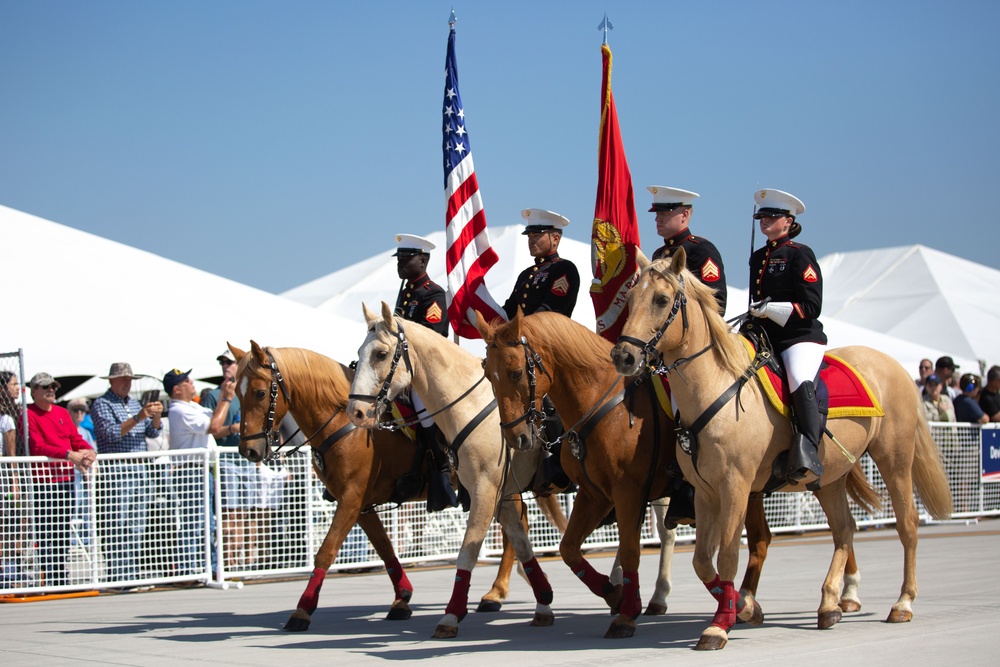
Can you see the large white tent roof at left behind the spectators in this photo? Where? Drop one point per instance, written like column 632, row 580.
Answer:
column 186, row 324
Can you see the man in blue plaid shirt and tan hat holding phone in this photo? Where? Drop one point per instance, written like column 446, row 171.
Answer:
column 121, row 426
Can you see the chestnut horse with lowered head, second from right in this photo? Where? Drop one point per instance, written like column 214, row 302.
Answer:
column 624, row 446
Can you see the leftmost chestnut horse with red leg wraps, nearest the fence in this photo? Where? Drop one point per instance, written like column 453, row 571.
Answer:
column 359, row 467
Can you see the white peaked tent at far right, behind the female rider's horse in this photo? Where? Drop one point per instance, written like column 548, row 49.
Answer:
column 918, row 294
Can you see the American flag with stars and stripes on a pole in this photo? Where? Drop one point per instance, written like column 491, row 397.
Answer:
column 470, row 254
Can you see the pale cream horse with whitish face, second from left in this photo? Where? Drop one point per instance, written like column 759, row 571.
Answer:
column 450, row 381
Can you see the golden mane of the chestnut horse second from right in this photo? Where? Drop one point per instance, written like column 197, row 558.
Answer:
column 558, row 333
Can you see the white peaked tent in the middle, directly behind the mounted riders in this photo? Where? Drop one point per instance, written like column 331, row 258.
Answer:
column 374, row 279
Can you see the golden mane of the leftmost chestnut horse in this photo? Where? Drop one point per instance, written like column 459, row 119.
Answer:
column 324, row 380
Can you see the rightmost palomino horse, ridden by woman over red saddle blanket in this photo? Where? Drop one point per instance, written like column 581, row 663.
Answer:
column 731, row 452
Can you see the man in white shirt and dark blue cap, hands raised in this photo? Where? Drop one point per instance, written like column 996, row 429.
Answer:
column 191, row 426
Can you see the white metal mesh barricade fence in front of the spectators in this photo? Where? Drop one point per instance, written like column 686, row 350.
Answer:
column 210, row 516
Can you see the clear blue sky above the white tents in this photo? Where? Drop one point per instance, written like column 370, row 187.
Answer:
column 274, row 142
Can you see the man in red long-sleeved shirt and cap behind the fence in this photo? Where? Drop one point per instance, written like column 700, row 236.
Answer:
column 52, row 433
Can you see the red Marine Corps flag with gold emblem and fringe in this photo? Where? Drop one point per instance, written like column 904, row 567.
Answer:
column 615, row 235
